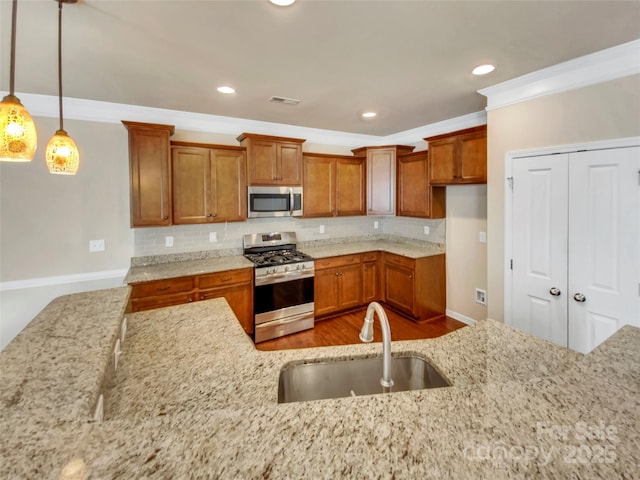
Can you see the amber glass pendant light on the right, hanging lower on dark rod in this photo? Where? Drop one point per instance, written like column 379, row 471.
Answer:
column 62, row 155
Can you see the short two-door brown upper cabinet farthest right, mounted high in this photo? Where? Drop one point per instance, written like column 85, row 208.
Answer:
column 459, row 157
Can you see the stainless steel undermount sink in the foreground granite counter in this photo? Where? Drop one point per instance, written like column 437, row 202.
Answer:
column 354, row 377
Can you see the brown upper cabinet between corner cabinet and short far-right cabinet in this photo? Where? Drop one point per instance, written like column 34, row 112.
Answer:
column 415, row 195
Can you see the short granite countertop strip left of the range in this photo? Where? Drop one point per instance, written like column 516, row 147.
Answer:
column 147, row 273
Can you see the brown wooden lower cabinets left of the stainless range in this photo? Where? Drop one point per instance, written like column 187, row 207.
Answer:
column 236, row 286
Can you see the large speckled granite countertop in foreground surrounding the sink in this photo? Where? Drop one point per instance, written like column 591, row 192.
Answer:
column 193, row 398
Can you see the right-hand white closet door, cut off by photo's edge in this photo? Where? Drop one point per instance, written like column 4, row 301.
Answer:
column 604, row 244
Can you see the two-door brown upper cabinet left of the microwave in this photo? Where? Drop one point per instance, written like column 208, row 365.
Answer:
column 209, row 183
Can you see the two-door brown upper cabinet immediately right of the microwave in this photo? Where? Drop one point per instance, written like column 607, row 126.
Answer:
column 333, row 185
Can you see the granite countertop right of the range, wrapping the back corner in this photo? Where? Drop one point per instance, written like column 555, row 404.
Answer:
column 407, row 249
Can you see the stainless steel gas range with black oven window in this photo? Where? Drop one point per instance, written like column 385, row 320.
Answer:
column 283, row 292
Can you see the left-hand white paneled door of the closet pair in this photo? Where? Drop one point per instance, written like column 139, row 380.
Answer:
column 539, row 237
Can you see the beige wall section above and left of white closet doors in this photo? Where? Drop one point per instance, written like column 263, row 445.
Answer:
column 598, row 112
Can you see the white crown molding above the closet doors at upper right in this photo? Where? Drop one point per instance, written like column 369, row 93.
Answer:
column 609, row 64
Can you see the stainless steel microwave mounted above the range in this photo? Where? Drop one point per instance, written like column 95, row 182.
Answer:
column 274, row 202
